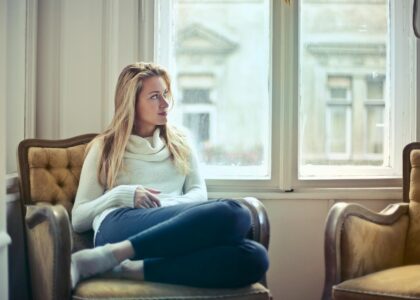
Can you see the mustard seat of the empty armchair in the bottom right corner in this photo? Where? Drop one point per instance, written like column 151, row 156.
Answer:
column 396, row 283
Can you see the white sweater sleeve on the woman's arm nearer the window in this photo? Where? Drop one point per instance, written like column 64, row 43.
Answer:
column 194, row 189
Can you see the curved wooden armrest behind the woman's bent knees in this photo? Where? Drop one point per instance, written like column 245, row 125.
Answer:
column 260, row 231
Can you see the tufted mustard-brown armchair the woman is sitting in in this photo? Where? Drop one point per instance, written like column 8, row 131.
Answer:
column 49, row 173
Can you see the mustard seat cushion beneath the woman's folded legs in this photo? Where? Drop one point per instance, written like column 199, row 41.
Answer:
column 108, row 288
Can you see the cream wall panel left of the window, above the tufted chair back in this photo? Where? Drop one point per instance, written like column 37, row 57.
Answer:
column 82, row 47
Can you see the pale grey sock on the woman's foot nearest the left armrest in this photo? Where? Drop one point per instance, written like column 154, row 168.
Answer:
column 89, row 262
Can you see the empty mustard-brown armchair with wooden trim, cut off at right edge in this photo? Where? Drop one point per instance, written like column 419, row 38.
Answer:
column 372, row 255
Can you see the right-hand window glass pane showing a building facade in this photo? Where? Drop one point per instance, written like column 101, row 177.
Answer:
column 344, row 67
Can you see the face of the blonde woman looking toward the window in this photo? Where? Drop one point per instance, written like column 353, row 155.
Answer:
column 152, row 106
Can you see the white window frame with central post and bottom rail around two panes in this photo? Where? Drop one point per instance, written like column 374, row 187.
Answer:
column 284, row 106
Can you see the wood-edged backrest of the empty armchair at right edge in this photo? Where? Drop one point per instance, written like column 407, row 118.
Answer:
column 411, row 194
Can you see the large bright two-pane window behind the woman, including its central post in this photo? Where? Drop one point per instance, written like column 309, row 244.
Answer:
column 308, row 89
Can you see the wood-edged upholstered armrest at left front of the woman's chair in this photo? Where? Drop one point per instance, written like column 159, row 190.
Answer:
column 48, row 239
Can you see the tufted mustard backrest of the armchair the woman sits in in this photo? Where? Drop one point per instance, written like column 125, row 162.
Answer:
column 49, row 172
